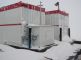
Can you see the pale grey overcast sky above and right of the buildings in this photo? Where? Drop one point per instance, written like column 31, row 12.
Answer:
column 70, row 6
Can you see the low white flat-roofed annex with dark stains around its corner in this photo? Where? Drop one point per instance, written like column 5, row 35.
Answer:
column 41, row 36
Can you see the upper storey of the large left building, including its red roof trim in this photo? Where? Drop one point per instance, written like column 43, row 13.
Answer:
column 18, row 12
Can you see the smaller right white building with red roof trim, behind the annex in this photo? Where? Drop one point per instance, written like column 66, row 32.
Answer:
column 60, row 21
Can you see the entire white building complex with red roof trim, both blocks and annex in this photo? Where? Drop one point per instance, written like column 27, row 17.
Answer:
column 20, row 25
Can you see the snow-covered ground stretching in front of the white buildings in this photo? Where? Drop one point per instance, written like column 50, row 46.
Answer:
column 62, row 51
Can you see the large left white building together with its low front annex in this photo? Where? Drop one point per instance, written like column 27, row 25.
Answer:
column 13, row 19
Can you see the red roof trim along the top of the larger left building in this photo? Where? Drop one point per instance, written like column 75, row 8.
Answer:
column 21, row 4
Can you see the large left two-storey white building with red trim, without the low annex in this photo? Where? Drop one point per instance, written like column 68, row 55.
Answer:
column 12, row 18
